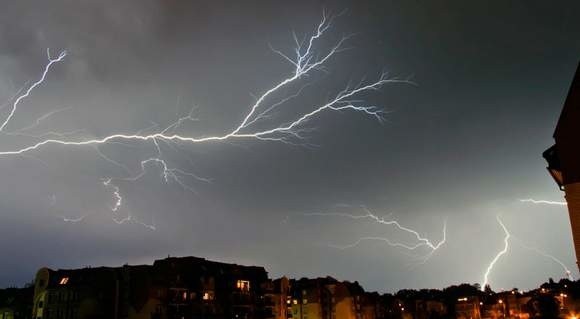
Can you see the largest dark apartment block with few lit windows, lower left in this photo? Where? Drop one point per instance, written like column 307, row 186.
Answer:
column 171, row 288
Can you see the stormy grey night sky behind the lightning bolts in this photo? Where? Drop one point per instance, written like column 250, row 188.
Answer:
column 462, row 144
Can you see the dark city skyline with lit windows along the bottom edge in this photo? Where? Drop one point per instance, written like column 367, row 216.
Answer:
column 193, row 287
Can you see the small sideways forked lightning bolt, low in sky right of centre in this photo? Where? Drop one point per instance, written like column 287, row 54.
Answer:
column 420, row 241
